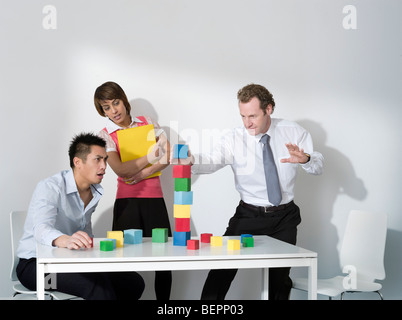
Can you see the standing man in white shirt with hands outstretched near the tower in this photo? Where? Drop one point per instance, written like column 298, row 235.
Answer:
column 292, row 147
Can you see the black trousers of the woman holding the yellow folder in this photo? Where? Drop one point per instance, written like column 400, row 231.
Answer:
column 145, row 214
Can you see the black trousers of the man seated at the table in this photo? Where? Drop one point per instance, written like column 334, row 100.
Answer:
column 90, row 286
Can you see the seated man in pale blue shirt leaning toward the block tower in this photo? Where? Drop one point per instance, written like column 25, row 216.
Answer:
column 59, row 215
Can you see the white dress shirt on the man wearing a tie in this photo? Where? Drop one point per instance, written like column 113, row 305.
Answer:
column 243, row 152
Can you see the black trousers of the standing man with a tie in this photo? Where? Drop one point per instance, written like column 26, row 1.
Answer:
column 281, row 225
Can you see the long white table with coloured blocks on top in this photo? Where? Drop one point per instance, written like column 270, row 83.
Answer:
column 266, row 253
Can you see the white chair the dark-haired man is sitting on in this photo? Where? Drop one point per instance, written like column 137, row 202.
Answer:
column 17, row 220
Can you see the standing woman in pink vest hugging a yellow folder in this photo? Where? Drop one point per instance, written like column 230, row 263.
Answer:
column 139, row 202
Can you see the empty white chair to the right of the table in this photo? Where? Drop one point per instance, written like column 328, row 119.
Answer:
column 361, row 257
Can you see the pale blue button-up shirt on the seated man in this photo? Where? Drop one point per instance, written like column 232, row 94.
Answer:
column 56, row 208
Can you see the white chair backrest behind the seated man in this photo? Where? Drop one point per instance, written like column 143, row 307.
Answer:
column 17, row 220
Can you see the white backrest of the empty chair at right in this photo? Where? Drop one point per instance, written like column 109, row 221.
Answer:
column 363, row 244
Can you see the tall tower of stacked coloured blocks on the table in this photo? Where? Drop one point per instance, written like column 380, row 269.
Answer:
column 183, row 197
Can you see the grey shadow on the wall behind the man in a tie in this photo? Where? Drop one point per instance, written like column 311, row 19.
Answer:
column 316, row 196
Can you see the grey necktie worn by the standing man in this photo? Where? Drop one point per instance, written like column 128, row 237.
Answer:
column 271, row 173
